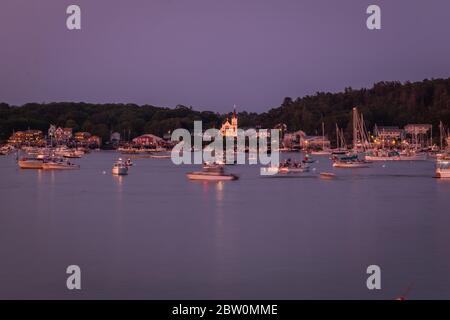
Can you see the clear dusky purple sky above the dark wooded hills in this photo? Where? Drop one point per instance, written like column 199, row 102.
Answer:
column 212, row 54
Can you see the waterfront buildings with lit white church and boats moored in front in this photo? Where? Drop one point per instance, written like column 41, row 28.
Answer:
column 57, row 148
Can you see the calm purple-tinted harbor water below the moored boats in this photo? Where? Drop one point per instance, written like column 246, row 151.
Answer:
column 155, row 235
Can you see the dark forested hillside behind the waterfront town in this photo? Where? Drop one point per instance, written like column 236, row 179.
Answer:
column 386, row 103
